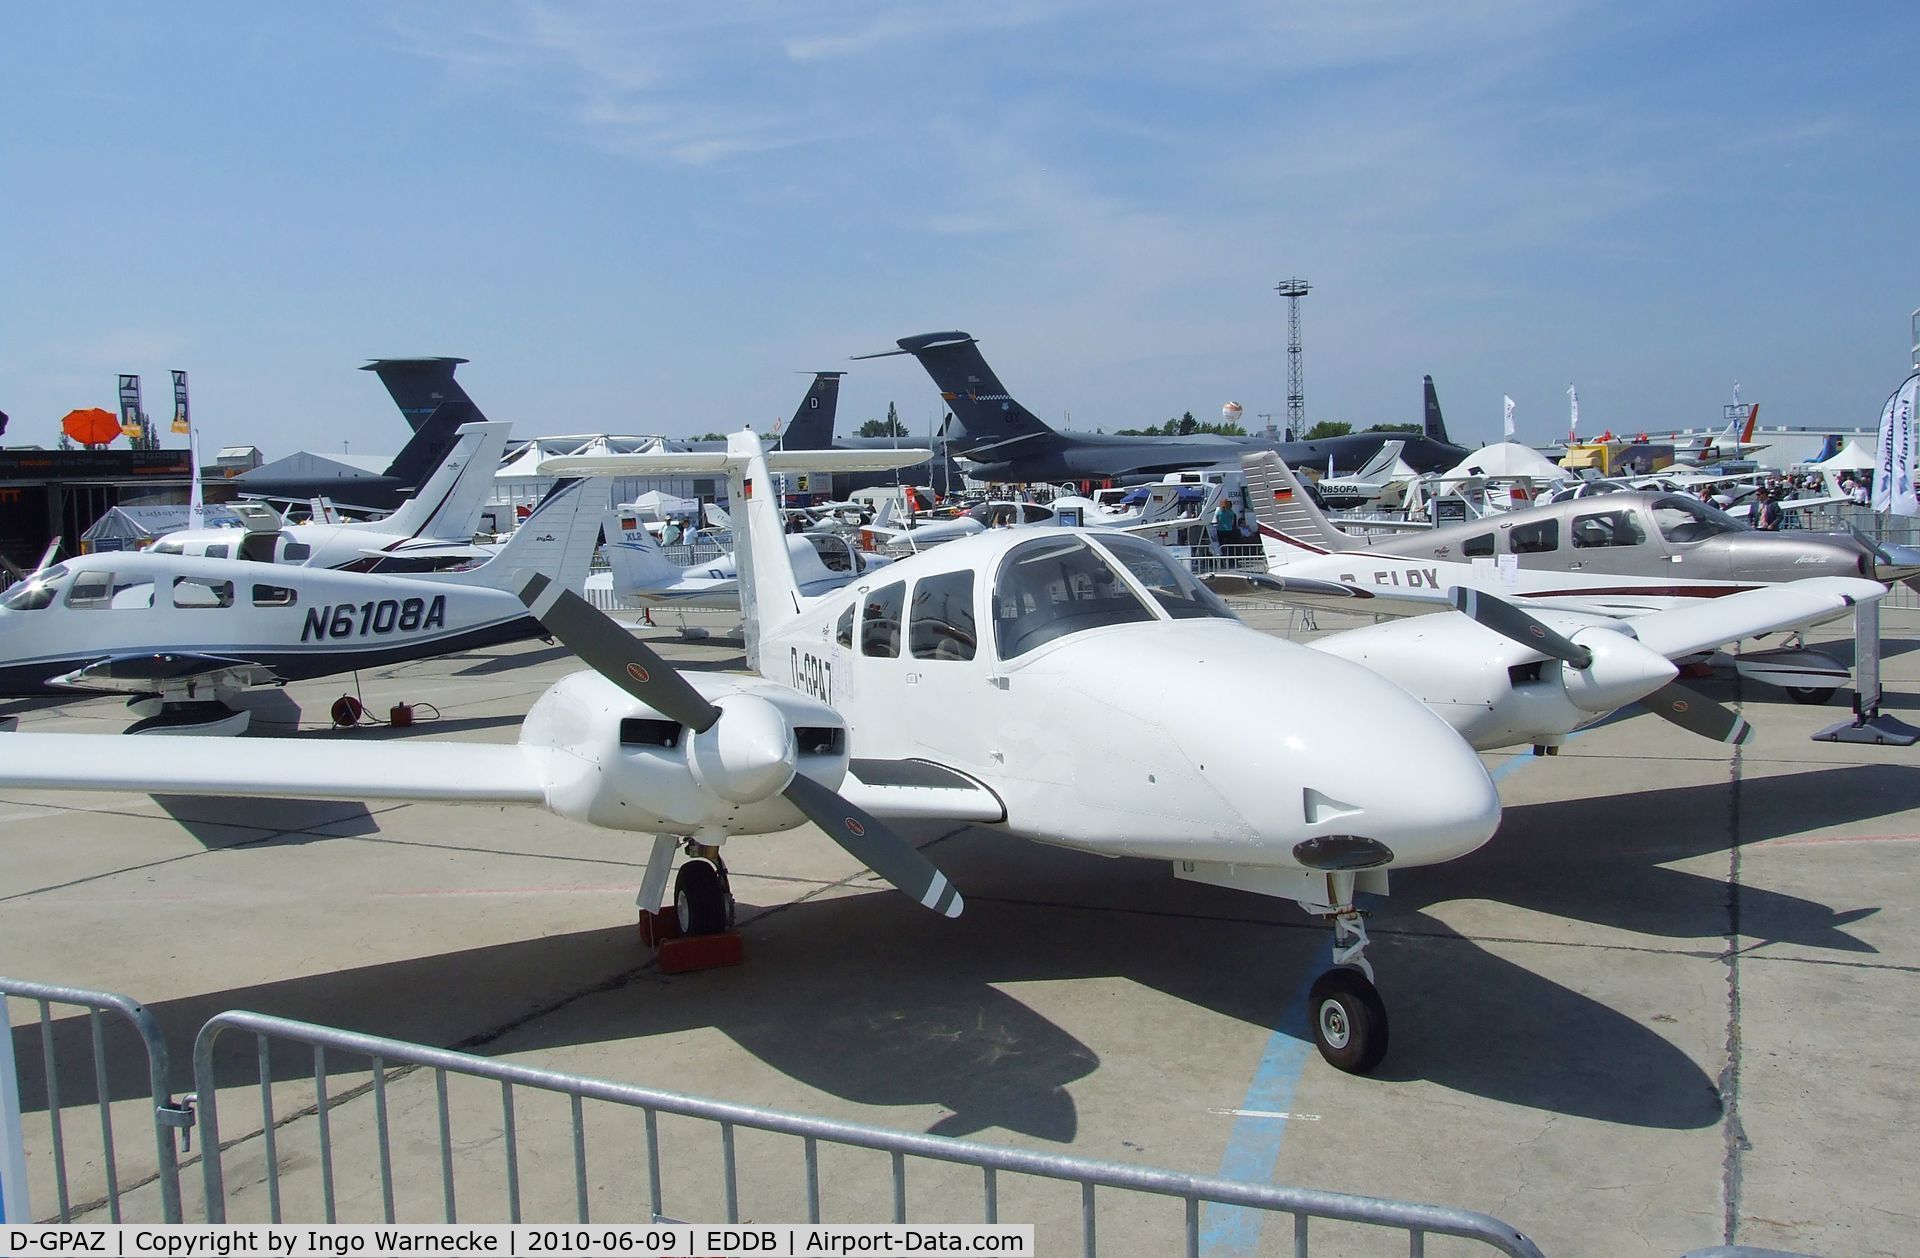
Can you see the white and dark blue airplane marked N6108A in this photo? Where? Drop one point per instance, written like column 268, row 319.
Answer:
column 187, row 635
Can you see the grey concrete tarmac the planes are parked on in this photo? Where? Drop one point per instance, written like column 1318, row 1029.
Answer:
column 1668, row 1007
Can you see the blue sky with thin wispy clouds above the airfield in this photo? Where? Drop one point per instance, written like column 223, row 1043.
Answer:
column 658, row 218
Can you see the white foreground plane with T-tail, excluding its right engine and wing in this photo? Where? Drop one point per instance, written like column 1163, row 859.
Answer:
column 1015, row 635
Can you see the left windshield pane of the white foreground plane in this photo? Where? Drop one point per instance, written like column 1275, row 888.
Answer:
column 1055, row 587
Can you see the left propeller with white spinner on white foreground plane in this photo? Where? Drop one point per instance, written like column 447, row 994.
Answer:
column 752, row 760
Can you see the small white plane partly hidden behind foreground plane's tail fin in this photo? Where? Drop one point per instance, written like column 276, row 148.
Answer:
column 640, row 573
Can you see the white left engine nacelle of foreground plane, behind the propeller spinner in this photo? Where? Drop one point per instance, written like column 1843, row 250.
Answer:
column 617, row 763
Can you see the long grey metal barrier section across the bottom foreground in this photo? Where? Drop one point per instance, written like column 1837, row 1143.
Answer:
column 1416, row 1222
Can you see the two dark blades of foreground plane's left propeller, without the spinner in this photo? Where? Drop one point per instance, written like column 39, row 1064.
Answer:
column 636, row 669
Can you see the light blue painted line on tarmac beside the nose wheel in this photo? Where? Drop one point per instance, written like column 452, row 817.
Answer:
column 1255, row 1144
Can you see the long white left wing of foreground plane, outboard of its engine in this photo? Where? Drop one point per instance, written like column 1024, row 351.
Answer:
column 274, row 767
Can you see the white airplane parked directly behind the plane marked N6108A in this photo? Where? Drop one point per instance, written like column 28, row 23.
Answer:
column 431, row 531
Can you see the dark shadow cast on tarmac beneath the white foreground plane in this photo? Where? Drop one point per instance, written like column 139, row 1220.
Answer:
column 871, row 1000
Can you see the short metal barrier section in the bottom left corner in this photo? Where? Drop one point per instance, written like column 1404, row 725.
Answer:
column 168, row 1115
